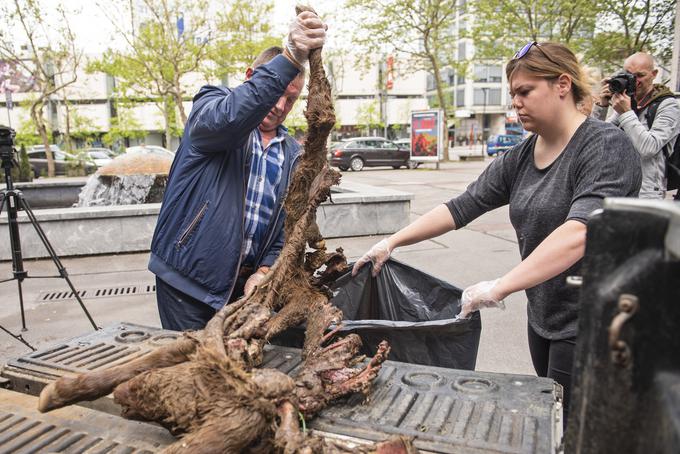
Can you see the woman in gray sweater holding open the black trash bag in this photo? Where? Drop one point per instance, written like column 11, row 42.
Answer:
column 551, row 181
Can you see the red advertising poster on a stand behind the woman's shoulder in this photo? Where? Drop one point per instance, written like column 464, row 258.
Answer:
column 426, row 135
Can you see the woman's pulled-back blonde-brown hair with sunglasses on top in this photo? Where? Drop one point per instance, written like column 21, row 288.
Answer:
column 549, row 61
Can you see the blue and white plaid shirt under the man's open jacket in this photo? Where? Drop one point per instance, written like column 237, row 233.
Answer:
column 263, row 182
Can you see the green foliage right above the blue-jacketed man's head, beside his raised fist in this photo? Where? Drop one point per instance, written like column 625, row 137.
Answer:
column 244, row 31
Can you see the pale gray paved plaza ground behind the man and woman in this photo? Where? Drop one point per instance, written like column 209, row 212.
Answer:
column 483, row 250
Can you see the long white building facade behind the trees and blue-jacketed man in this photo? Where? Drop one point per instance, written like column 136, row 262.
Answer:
column 364, row 105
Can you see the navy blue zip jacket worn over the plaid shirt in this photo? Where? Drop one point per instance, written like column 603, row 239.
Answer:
column 196, row 247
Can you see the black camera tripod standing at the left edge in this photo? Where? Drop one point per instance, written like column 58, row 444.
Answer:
column 14, row 200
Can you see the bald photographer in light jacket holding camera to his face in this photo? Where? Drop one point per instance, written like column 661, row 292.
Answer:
column 638, row 80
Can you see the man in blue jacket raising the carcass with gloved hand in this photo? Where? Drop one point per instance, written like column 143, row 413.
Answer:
column 220, row 227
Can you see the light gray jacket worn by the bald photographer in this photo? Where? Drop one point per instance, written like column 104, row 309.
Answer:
column 649, row 143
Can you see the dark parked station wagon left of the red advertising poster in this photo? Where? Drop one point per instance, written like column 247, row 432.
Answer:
column 359, row 152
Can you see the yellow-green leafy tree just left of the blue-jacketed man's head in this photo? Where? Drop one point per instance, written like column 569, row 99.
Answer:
column 158, row 55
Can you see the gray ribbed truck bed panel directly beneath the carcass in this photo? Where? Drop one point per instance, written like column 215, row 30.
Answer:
column 447, row 410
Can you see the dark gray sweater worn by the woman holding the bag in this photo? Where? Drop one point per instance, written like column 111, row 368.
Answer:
column 598, row 162
